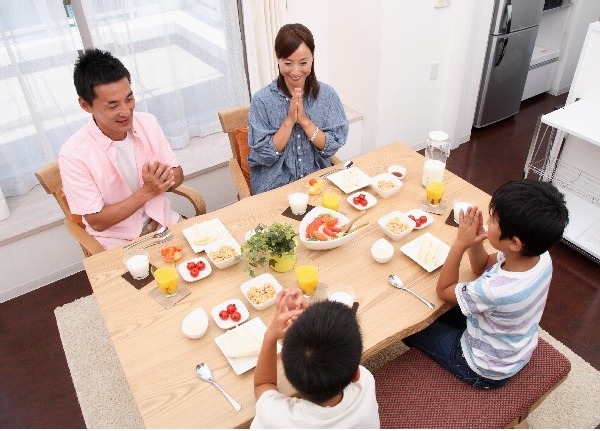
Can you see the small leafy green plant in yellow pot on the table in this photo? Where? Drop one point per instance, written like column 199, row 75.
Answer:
column 274, row 244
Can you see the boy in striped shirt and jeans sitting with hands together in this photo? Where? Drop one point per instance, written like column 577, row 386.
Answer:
column 493, row 332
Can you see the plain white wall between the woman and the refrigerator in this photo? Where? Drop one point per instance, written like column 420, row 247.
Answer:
column 379, row 59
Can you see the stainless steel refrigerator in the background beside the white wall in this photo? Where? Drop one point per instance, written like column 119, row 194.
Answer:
column 510, row 46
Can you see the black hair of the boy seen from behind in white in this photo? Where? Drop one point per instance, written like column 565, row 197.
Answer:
column 322, row 350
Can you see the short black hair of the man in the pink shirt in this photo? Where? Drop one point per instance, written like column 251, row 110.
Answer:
column 96, row 67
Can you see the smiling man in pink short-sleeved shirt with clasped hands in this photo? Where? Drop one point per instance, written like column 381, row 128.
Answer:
column 116, row 169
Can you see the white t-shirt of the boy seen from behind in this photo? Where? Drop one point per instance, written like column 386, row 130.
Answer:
column 357, row 409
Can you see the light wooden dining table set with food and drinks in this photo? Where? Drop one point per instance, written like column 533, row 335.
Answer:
column 159, row 361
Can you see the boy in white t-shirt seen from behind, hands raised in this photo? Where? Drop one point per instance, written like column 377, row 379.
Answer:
column 322, row 348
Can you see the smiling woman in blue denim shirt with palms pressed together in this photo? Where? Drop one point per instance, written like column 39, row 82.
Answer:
column 296, row 123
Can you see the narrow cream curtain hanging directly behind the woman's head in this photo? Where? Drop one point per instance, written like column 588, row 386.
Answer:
column 262, row 21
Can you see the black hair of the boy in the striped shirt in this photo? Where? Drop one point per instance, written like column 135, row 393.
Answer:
column 534, row 211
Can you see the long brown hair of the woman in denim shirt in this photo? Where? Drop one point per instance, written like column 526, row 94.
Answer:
column 288, row 39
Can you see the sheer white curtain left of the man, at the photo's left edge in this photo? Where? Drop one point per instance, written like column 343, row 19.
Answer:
column 39, row 108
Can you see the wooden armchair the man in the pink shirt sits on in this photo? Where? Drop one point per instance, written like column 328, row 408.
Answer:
column 49, row 178
